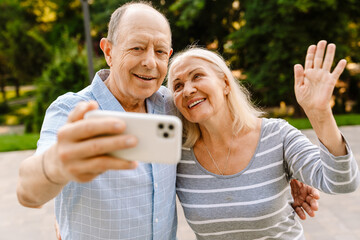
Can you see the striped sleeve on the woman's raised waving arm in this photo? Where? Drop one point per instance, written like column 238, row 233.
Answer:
column 316, row 166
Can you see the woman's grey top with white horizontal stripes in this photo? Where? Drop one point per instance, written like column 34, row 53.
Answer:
column 256, row 202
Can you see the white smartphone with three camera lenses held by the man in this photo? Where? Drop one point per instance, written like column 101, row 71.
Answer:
column 159, row 136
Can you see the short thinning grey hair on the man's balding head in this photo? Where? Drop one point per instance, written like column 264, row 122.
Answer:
column 113, row 28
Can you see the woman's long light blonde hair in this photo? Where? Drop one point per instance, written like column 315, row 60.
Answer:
column 243, row 112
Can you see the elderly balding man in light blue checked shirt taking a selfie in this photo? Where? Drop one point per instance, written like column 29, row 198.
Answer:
column 71, row 162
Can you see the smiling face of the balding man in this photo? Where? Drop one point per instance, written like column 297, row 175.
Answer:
column 139, row 58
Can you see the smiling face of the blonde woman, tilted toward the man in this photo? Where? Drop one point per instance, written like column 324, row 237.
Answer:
column 199, row 90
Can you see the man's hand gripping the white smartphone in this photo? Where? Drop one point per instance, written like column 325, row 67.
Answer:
column 81, row 152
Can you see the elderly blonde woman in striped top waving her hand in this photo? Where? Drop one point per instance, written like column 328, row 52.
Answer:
column 233, row 179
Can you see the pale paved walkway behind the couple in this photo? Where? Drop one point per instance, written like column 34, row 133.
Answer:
column 337, row 219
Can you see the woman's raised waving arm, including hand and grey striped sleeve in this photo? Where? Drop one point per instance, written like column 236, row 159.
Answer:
column 333, row 168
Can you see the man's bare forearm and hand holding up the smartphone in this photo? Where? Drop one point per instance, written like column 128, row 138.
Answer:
column 80, row 154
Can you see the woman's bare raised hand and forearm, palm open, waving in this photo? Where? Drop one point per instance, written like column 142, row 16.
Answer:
column 314, row 87
